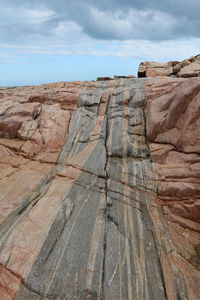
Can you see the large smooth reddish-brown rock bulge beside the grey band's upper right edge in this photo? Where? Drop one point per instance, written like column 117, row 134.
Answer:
column 173, row 118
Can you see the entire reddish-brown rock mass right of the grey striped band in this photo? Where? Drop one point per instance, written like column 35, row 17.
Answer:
column 173, row 122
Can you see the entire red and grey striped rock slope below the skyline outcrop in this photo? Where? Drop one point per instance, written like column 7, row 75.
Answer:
column 100, row 189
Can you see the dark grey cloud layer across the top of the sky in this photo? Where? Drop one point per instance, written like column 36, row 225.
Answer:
column 104, row 20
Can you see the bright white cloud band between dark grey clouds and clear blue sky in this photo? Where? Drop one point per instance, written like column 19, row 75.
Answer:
column 137, row 50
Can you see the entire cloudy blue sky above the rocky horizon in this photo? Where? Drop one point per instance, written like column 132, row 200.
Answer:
column 54, row 40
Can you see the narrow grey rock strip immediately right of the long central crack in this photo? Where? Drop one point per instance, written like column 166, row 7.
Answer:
column 114, row 280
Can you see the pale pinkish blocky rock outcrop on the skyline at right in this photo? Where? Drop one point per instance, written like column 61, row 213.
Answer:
column 188, row 68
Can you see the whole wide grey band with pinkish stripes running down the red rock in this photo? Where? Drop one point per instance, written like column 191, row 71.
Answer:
column 103, row 244
